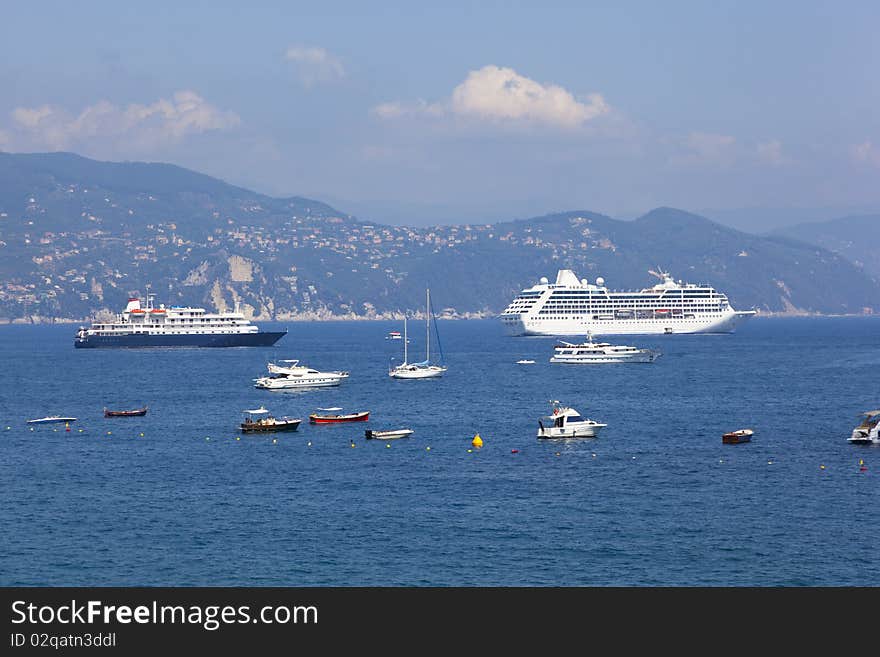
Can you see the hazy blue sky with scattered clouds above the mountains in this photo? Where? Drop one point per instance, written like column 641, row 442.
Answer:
column 466, row 111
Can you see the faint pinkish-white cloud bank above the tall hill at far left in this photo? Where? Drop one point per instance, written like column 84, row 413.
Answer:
column 143, row 126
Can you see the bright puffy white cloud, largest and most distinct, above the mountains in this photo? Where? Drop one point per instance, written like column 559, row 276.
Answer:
column 502, row 95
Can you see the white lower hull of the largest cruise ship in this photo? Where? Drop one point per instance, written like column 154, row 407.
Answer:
column 716, row 323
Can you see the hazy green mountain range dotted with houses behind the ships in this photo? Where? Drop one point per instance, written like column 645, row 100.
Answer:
column 78, row 236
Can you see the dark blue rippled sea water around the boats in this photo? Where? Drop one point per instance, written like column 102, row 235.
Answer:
column 656, row 499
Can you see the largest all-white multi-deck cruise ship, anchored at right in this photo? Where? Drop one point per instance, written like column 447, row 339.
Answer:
column 574, row 307
